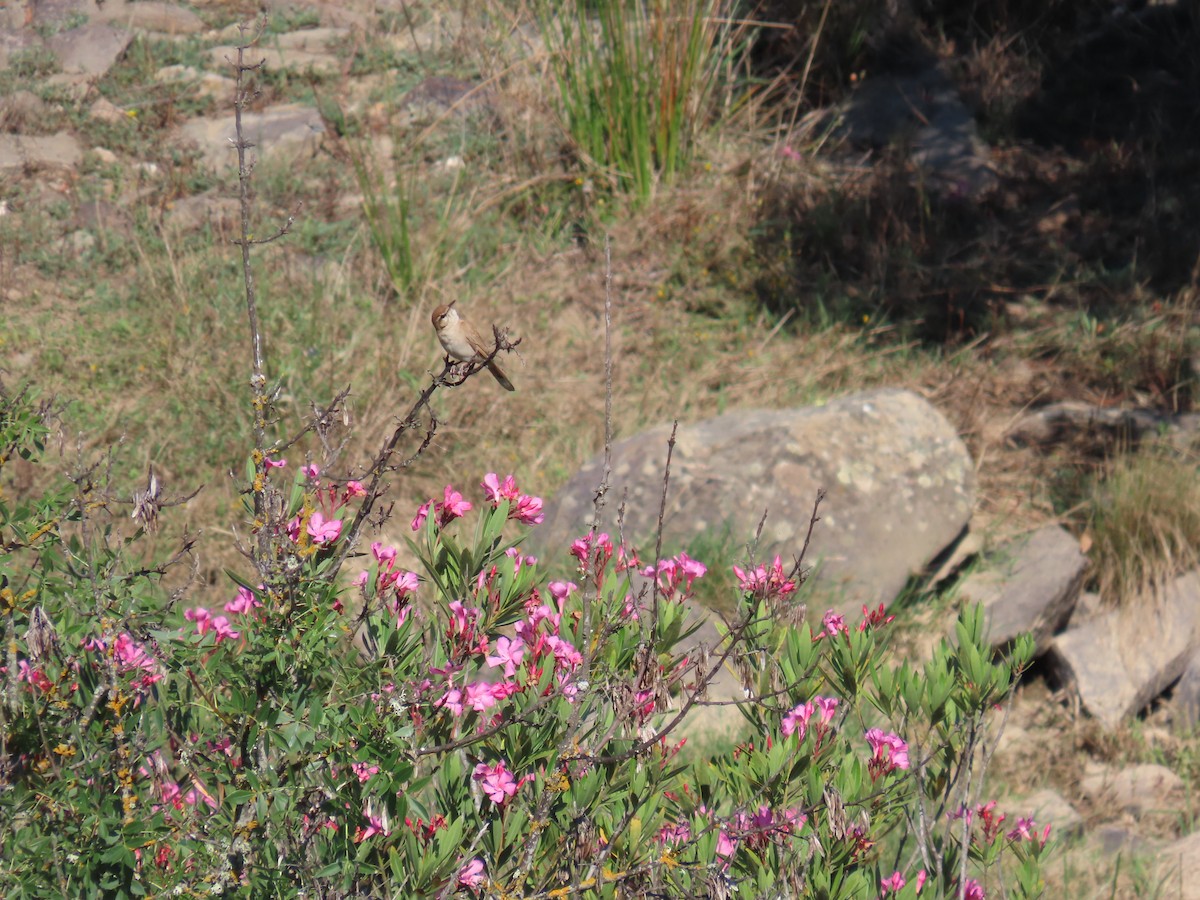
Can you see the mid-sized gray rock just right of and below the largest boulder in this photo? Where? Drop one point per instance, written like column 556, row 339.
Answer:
column 1029, row 585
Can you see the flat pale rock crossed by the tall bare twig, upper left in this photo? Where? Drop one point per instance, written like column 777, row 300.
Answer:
column 285, row 131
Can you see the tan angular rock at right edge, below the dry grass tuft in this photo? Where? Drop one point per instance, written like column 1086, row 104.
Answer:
column 1121, row 661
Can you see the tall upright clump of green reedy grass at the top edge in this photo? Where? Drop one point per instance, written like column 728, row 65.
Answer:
column 638, row 80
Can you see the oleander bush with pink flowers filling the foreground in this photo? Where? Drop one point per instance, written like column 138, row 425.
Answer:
column 467, row 729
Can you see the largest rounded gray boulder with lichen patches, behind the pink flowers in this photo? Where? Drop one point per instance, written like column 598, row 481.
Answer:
column 899, row 482
